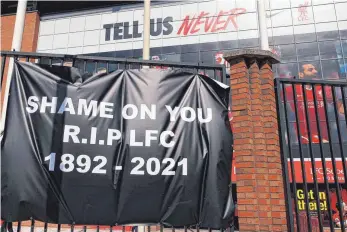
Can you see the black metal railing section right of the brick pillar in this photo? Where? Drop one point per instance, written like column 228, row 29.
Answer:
column 312, row 117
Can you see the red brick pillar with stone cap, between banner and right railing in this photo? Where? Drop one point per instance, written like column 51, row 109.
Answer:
column 260, row 191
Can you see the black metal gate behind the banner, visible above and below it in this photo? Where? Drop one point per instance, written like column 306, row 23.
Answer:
column 96, row 64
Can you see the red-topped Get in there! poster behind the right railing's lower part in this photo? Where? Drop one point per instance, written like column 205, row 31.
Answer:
column 325, row 199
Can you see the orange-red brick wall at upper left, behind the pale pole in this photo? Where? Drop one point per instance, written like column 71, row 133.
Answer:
column 30, row 36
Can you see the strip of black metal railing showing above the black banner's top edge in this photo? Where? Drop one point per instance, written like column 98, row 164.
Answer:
column 94, row 64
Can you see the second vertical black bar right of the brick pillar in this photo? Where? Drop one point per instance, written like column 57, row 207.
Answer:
column 291, row 161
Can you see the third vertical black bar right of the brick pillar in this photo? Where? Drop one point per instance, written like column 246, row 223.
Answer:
column 302, row 161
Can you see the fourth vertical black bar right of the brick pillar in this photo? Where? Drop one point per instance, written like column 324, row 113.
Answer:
column 313, row 162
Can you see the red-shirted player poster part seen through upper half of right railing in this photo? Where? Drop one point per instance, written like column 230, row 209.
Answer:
column 315, row 115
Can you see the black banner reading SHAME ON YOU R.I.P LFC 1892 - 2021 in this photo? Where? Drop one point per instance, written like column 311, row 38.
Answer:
column 134, row 146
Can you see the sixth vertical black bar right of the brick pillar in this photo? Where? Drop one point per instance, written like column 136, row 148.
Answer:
column 333, row 158
